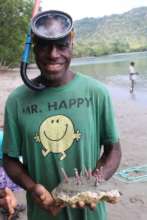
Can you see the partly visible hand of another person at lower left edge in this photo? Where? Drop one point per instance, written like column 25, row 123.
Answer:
column 8, row 201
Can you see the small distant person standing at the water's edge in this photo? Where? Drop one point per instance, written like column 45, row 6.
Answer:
column 132, row 76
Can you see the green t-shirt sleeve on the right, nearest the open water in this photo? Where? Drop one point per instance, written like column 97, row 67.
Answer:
column 109, row 130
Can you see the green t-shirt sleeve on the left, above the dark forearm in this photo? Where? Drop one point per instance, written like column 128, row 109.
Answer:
column 12, row 137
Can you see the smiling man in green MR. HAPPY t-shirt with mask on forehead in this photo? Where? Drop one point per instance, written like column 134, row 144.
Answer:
column 63, row 126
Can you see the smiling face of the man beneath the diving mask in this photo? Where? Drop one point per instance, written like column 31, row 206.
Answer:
column 53, row 57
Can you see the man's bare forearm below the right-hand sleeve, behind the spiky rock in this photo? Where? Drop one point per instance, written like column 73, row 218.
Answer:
column 109, row 160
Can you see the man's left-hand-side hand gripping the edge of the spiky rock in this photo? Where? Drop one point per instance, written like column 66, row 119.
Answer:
column 45, row 199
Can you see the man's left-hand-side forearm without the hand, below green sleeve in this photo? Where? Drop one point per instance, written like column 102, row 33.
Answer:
column 18, row 173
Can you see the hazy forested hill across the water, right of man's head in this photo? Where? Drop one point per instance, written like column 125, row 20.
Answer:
column 112, row 34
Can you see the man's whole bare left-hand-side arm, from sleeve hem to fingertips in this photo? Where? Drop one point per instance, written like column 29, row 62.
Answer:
column 19, row 175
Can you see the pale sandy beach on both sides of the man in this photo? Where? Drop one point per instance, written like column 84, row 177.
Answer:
column 131, row 115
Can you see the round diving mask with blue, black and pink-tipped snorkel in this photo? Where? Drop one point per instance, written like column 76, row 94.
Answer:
column 49, row 26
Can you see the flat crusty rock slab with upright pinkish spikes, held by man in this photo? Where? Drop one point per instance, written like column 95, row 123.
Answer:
column 86, row 188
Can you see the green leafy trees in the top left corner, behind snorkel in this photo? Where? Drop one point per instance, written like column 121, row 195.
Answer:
column 14, row 20
